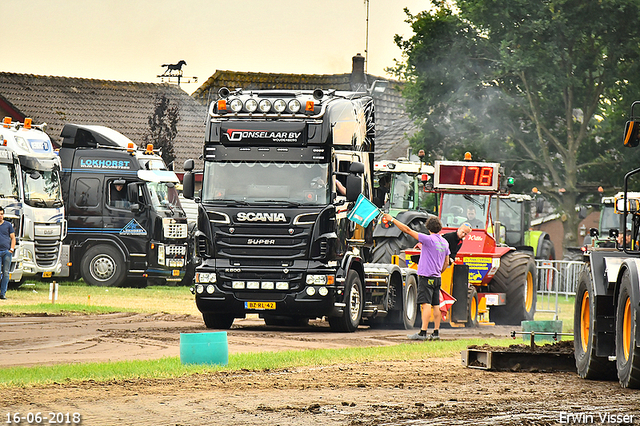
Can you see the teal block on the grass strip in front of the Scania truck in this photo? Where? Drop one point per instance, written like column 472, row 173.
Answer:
column 204, row 348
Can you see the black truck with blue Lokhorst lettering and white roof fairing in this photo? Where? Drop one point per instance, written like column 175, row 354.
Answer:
column 125, row 224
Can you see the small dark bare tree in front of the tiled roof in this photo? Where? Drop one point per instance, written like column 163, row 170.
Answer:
column 163, row 127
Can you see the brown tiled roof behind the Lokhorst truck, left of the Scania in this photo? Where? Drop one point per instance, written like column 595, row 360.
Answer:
column 122, row 105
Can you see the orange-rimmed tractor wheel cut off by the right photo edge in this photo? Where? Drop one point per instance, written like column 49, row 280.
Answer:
column 627, row 351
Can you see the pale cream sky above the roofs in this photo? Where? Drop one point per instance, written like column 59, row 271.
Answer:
column 131, row 40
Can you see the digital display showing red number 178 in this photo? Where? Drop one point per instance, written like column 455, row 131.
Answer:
column 466, row 175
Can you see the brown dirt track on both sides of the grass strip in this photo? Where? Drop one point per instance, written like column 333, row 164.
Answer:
column 427, row 392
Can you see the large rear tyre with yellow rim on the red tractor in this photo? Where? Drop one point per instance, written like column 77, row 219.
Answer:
column 516, row 277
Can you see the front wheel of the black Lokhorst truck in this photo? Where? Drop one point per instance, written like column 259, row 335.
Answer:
column 103, row 265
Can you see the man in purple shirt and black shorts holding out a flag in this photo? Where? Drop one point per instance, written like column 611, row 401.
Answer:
column 434, row 259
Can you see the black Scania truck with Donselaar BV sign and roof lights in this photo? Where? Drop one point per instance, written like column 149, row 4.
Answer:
column 281, row 170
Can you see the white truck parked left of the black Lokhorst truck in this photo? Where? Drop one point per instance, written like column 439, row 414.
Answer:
column 42, row 226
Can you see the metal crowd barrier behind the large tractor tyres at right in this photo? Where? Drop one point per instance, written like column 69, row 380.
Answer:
column 556, row 278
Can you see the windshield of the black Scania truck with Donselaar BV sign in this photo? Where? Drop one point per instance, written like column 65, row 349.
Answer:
column 274, row 182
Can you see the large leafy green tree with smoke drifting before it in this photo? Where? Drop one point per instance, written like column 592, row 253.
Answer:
column 533, row 84
